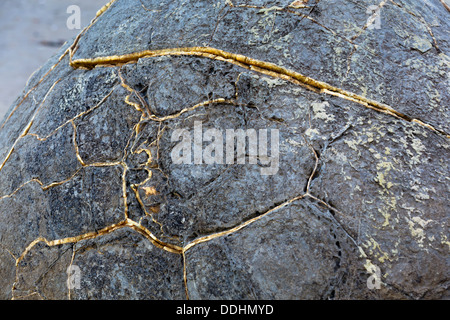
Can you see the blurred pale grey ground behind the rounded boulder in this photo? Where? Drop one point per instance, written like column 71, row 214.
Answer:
column 31, row 31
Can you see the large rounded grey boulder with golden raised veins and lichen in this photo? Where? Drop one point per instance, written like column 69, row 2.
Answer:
column 362, row 190
